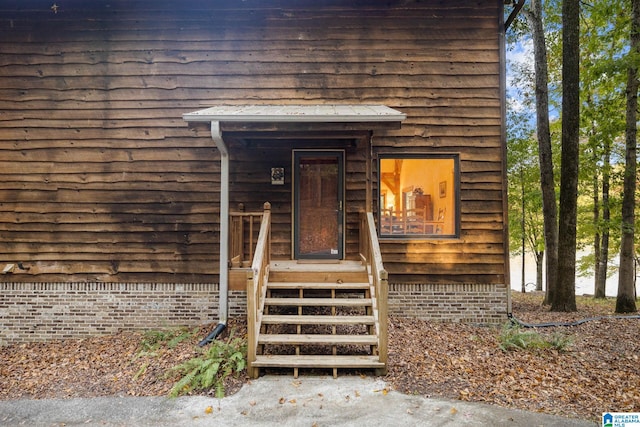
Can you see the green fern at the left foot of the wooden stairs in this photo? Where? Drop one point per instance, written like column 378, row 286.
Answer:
column 212, row 367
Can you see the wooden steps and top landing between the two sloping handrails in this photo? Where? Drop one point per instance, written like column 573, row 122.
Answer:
column 318, row 316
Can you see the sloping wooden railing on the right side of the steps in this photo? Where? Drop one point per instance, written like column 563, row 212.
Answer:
column 372, row 258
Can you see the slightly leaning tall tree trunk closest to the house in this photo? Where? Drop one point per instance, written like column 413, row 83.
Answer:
column 547, row 182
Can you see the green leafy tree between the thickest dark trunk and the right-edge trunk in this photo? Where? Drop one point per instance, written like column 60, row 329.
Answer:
column 603, row 39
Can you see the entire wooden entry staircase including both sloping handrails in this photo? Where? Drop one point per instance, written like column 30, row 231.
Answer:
column 317, row 315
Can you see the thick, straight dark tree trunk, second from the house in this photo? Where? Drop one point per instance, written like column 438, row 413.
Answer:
column 565, row 296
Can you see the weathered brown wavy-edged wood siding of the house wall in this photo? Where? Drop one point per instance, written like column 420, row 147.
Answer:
column 101, row 179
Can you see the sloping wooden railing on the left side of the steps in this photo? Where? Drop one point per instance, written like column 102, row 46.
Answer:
column 257, row 278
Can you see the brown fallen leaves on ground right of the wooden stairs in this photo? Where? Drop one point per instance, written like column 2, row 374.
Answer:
column 598, row 372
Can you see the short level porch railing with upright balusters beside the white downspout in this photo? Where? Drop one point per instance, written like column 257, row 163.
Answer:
column 242, row 236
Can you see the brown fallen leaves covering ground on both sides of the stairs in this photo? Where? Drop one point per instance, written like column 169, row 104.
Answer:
column 598, row 372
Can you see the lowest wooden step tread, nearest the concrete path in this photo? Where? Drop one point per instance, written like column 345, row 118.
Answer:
column 313, row 361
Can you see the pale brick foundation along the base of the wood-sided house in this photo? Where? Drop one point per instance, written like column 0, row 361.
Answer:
column 43, row 311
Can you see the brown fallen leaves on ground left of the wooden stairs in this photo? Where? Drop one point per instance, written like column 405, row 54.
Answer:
column 113, row 365
